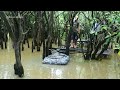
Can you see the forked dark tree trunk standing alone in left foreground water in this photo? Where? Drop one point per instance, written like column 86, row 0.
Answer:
column 16, row 36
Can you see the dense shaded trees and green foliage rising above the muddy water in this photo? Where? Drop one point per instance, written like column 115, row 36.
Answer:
column 99, row 33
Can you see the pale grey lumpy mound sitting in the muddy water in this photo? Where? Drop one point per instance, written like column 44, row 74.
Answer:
column 56, row 58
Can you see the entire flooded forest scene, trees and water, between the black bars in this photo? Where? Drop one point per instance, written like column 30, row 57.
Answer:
column 59, row 44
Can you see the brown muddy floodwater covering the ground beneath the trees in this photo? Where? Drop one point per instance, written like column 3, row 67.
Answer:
column 77, row 68
